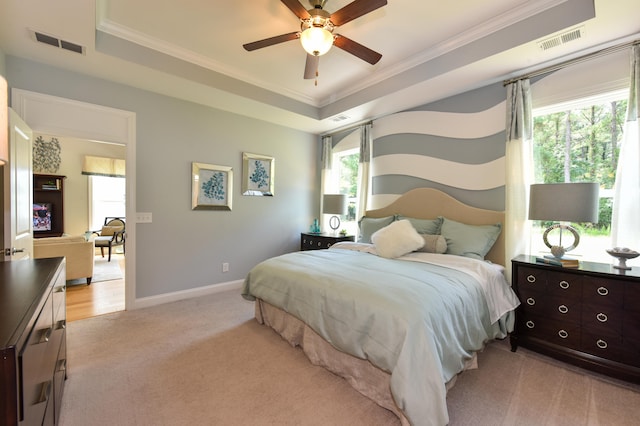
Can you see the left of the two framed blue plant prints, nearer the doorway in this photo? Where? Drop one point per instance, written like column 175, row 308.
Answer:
column 211, row 187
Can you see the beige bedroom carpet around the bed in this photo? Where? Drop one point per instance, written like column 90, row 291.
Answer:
column 205, row 361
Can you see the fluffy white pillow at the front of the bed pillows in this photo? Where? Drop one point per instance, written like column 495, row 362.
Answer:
column 397, row 239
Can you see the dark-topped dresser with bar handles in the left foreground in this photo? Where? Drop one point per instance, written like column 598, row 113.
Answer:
column 33, row 341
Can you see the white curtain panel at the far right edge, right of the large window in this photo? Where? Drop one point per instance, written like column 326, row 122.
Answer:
column 625, row 229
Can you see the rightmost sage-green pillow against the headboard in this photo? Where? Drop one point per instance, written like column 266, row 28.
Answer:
column 473, row 241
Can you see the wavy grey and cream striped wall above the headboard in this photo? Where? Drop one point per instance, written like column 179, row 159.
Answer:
column 456, row 145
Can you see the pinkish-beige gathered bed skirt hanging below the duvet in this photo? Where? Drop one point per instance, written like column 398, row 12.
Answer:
column 363, row 376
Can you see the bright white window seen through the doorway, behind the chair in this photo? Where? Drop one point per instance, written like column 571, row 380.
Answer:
column 106, row 199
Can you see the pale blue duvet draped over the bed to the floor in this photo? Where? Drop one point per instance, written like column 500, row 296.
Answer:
column 412, row 316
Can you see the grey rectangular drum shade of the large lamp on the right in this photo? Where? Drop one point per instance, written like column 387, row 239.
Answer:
column 564, row 202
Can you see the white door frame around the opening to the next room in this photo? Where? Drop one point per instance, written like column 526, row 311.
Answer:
column 69, row 118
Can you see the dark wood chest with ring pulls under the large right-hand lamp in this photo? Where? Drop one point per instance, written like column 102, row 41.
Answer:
column 587, row 316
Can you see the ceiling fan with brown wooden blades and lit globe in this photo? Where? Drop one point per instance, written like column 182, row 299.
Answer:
column 316, row 32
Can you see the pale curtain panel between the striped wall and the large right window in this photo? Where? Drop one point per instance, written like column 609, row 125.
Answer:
column 519, row 170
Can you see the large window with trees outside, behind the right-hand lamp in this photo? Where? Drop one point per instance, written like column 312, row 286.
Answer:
column 579, row 141
